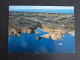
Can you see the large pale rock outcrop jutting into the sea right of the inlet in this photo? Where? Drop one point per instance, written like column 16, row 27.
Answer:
column 56, row 35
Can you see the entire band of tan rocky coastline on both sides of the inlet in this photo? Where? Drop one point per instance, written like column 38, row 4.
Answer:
column 52, row 34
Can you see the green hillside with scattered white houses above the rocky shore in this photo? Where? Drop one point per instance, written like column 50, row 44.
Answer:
column 55, row 21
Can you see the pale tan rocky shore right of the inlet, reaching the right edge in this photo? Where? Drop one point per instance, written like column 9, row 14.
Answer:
column 55, row 34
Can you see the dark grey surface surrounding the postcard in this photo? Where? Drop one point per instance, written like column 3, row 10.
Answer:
column 41, row 56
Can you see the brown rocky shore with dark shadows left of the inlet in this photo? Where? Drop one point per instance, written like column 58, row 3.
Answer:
column 12, row 31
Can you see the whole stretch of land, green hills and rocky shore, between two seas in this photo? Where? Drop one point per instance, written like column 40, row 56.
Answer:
column 55, row 24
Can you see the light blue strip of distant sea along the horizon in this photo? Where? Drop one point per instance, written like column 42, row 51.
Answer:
column 66, row 11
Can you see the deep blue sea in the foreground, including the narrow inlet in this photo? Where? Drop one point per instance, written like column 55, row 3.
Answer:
column 28, row 44
